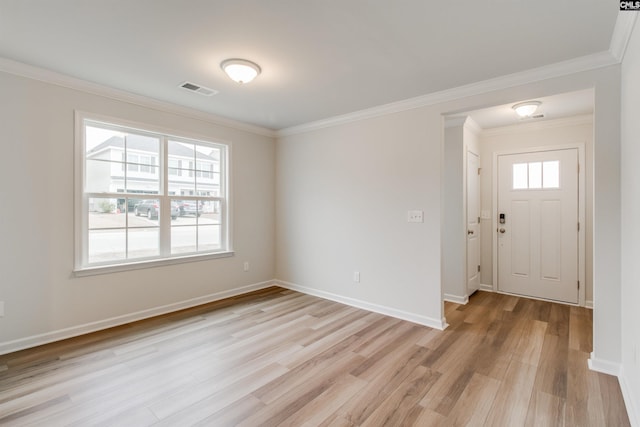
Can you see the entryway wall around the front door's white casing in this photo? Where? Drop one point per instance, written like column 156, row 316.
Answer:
column 531, row 135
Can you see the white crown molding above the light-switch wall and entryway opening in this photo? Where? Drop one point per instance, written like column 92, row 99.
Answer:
column 559, row 69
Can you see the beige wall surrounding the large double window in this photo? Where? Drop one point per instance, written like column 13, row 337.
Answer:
column 42, row 298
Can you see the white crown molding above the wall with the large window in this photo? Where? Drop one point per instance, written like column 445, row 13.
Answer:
column 47, row 76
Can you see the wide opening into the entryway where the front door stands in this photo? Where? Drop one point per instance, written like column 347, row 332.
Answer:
column 471, row 230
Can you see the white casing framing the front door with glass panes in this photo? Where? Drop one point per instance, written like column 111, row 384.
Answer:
column 581, row 210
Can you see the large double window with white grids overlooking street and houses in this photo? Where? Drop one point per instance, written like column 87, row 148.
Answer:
column 148, row 197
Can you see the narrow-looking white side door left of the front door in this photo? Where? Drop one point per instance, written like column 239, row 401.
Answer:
column 473, row 223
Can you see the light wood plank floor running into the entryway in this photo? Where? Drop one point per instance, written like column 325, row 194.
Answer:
column 280, row 358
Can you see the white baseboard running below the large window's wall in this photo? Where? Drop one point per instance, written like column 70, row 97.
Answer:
column 74, row 331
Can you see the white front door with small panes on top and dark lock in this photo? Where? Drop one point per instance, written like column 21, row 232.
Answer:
column 538, row 224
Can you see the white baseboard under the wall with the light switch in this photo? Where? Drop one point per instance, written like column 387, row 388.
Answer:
column 388, row 311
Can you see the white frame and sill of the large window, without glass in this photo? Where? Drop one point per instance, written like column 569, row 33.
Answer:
column 82, row 267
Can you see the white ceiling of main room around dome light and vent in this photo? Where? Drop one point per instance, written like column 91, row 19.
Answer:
column 319, row 58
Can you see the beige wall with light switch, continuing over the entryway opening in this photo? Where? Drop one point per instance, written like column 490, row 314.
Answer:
column 343, row 193
